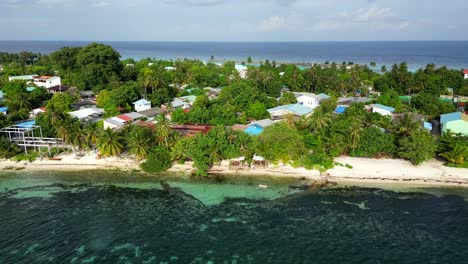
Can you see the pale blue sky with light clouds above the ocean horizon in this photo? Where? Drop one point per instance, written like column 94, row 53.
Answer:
column 233, row 20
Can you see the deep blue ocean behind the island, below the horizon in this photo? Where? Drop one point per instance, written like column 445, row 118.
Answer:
column 453, row 54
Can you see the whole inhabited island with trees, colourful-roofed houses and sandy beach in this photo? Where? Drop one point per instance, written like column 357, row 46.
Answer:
column 84, row 107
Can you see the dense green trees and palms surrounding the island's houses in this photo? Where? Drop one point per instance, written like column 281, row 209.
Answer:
column 311, row 142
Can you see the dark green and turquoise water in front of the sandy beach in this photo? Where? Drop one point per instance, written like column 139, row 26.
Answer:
column 128, row 218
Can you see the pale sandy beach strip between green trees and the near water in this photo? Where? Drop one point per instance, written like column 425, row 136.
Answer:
column 377, row 172
